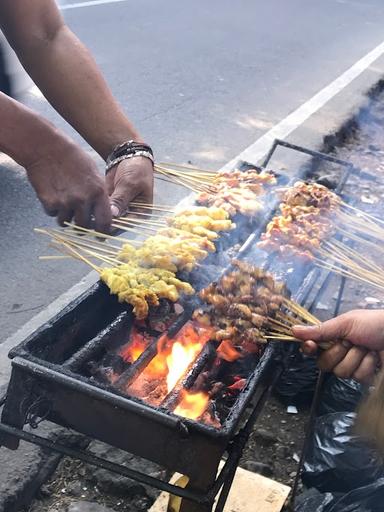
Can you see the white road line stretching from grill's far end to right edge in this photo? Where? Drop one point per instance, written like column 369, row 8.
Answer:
column 258, row 149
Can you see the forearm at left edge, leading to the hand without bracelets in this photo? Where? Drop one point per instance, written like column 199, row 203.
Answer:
column 24, row 135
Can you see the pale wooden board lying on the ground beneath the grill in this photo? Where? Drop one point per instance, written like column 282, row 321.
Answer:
column 249, row 492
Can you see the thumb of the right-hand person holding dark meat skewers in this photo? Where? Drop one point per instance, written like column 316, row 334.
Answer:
column 334, row 329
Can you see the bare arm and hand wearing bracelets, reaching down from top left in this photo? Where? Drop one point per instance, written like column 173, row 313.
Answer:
column 68, row 76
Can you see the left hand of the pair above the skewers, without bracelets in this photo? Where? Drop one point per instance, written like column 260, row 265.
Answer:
column 69, row 186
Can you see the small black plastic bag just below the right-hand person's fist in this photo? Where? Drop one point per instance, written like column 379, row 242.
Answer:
column 339, row 395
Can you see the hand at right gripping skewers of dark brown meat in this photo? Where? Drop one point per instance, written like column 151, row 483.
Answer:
column 359, row 343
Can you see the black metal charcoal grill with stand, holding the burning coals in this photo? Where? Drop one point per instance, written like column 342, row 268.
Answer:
column 47, row 384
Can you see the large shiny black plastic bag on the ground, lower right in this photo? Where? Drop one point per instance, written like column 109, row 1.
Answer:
column 338, row 460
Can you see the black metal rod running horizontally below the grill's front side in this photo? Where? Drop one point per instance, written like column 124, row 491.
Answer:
column 89, row 458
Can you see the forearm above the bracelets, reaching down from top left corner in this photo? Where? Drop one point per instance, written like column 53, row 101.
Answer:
column 68, row 76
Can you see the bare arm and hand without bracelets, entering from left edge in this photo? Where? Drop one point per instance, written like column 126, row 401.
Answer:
column 64, row 177
